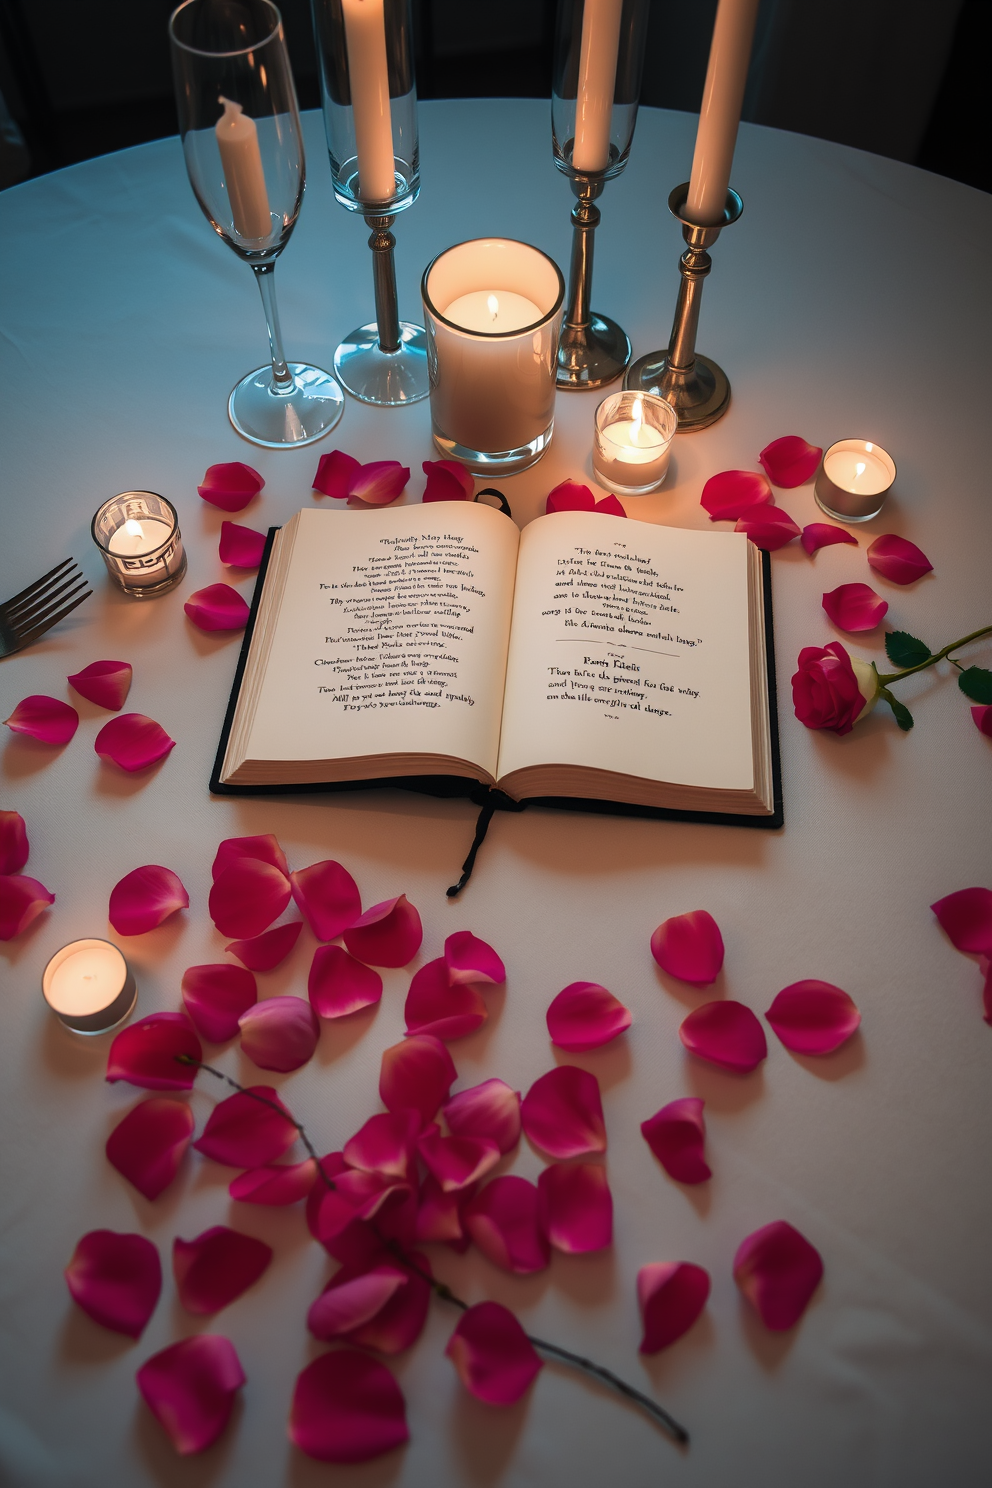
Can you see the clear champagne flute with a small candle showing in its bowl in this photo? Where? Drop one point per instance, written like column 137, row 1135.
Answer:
column 245, row 157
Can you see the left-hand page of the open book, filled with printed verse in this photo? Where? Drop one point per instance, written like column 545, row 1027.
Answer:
column 392, row 636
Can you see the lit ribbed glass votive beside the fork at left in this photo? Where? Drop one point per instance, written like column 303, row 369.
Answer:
column 139, row 539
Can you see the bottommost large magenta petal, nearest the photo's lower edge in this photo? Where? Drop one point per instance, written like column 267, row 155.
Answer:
column 347, row 1408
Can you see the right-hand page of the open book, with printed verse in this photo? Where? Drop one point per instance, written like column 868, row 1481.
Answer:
column 630, row 652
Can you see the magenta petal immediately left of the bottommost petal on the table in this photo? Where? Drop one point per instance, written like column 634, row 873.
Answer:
column 191, row 1389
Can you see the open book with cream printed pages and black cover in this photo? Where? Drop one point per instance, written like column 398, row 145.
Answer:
column 584, row 661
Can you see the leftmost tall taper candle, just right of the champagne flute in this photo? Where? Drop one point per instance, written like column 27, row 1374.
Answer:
column 370, row 83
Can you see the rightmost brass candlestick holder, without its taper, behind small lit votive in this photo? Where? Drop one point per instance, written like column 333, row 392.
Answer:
column 697, row 388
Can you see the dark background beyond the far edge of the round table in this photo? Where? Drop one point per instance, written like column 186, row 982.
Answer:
column 902, row 78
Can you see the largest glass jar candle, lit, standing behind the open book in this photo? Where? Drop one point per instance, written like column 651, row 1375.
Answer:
column 493, row 310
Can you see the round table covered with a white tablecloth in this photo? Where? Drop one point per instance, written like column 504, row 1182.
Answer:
column 850, row 301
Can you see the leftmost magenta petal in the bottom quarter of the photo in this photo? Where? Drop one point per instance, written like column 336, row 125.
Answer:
column 117, row 1280
